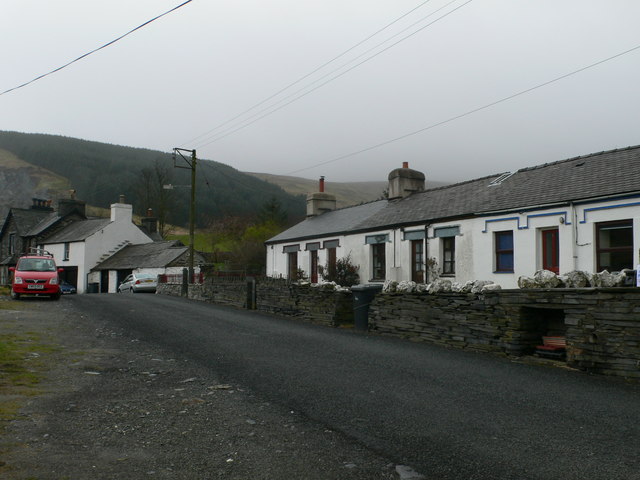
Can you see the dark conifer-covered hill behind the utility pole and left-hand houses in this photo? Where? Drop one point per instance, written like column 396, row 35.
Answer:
column 47, row 165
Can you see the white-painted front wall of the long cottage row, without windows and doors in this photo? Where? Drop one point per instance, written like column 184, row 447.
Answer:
column 474, row 246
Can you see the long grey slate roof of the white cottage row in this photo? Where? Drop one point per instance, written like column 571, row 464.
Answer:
column 604, row 174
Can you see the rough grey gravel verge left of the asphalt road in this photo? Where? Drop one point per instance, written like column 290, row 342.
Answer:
column 114, row 407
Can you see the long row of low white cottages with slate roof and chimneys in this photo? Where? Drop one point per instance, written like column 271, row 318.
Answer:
column 577, row 214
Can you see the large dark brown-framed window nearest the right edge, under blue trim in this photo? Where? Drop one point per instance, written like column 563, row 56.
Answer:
column 614, row 244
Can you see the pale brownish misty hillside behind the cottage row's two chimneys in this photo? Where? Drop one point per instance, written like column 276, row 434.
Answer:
column 347, row 193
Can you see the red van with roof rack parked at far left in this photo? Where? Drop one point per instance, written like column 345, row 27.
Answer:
column 36, row 274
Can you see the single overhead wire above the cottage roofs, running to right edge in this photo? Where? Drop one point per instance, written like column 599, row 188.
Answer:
column 467, row 113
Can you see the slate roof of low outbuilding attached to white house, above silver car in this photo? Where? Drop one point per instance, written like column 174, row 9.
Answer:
column 147, row 255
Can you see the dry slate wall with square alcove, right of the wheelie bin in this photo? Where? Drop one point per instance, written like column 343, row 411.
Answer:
column 601, row 326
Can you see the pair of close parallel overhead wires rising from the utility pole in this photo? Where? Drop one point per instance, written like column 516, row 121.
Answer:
column 241, row 126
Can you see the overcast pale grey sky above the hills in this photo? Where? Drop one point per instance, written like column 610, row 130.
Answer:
column 371, row 83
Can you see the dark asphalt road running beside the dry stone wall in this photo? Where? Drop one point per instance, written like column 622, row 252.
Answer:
column 448, row 414
